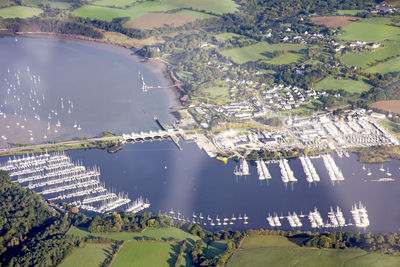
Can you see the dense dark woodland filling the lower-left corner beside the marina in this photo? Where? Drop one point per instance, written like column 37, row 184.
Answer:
column 29, row 233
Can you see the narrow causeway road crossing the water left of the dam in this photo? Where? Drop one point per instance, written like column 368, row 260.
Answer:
column 11, row 150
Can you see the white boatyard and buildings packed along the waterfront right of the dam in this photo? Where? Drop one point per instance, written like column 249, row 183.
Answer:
column 356, row 128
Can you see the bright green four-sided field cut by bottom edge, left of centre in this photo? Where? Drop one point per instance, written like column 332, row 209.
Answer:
column 135, row 253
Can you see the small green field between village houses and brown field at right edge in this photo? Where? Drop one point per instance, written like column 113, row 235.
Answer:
column 351, row 86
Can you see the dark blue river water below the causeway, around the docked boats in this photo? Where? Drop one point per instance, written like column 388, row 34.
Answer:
column 190, row 181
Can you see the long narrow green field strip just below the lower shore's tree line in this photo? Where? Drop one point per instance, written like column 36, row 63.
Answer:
column 154, row 232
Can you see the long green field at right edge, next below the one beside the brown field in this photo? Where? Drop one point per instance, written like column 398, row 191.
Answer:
column 365, row 58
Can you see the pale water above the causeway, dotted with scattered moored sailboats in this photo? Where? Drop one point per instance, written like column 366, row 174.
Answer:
column 102, row 82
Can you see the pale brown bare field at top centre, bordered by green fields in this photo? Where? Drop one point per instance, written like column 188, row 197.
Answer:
column 156, row 20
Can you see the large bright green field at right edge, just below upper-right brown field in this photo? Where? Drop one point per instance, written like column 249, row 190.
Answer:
column 370, row 30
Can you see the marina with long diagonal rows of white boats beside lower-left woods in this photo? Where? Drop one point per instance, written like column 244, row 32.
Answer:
column 57, row 178
